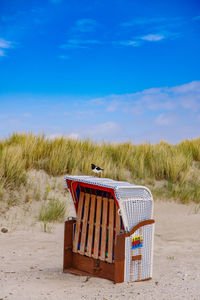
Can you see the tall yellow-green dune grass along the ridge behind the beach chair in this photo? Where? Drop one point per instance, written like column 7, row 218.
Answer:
column 171, row 171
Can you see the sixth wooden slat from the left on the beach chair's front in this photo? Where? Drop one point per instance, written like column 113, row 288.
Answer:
column 110, row 230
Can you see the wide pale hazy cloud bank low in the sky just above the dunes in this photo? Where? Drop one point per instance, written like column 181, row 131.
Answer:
column 170, row 113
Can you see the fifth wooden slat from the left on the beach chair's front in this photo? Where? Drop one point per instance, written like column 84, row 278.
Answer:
column 104, row 229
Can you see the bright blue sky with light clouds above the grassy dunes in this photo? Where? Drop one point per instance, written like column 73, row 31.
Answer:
column 115, row 71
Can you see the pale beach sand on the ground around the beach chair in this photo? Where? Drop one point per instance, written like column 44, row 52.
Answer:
column 31, row 261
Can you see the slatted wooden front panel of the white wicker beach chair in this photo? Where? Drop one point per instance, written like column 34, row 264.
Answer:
column 97, row 225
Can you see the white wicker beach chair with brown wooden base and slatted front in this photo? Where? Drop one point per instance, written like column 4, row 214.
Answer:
column 112, row 235
